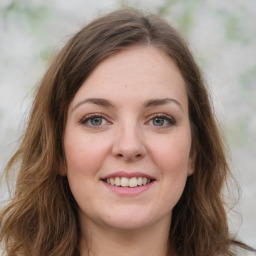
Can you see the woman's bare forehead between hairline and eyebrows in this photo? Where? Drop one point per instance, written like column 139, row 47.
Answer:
column 135, row 74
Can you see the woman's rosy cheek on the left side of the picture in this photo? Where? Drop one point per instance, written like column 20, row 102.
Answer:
column 84, row 157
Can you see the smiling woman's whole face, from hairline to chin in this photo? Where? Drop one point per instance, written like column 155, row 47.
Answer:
column 127, row 141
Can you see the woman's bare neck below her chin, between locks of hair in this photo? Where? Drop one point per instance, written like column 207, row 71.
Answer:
column 103, row 241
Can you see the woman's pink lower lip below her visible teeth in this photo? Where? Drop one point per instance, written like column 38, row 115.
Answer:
column 127, row 190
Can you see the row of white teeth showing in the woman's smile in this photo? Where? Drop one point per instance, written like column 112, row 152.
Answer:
column 126, row 182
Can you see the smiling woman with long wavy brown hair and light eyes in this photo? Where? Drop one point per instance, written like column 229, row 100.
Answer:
column 122, row 155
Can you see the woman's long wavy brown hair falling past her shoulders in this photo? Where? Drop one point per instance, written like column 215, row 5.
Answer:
column 41, row 218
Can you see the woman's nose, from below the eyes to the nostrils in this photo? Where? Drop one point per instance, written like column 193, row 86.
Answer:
column 129, row 144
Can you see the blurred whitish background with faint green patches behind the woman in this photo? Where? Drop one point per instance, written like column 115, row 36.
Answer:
column 222, row 35
